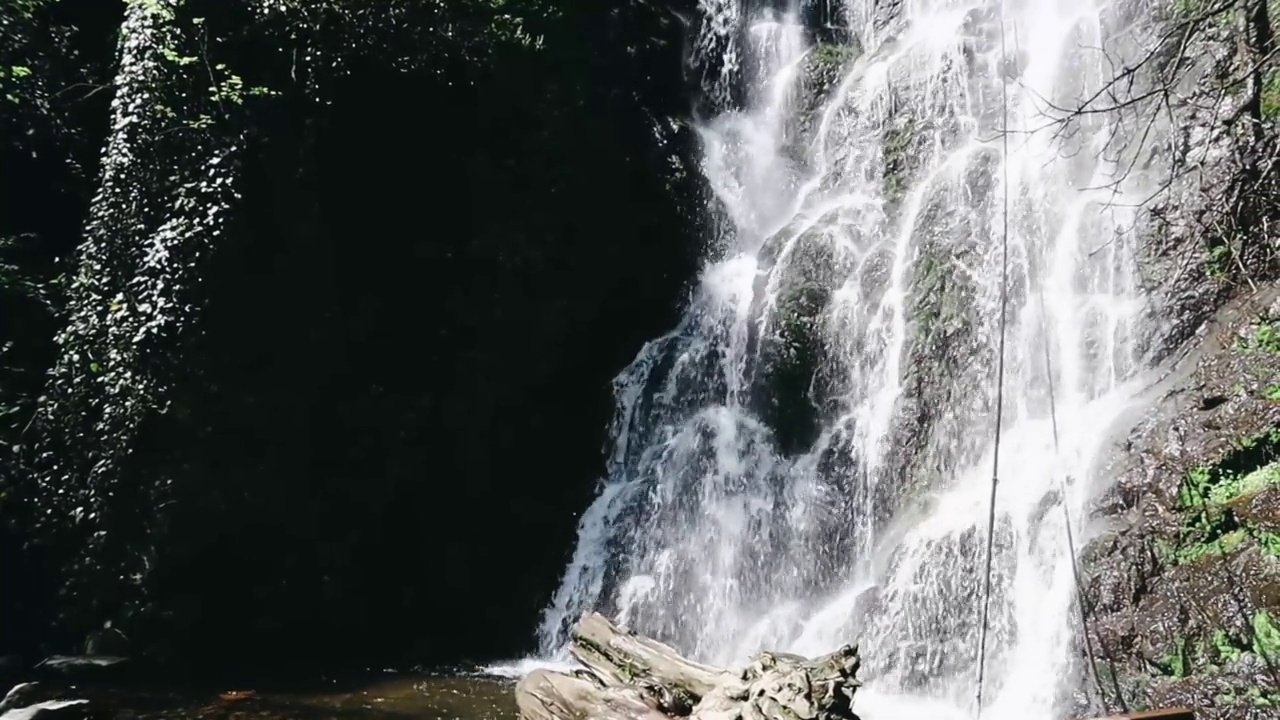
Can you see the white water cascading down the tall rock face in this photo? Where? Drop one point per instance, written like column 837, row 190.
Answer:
column 807, row 458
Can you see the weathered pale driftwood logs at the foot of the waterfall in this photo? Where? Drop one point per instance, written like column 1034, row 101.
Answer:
column 629, row 677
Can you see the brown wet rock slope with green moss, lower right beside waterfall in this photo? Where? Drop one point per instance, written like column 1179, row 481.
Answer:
column 1185, row 594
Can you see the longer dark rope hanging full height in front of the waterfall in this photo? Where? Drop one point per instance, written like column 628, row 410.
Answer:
column 1000, row 361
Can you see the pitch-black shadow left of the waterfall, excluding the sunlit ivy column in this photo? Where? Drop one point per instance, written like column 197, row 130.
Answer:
column 397, row 404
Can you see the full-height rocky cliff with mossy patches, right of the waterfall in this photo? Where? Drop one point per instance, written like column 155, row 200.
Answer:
column 1183, row 582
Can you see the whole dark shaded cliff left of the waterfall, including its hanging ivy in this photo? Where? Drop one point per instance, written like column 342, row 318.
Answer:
column 336, row 335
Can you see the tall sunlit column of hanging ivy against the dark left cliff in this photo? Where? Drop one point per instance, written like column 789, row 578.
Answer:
column 167, row 189
